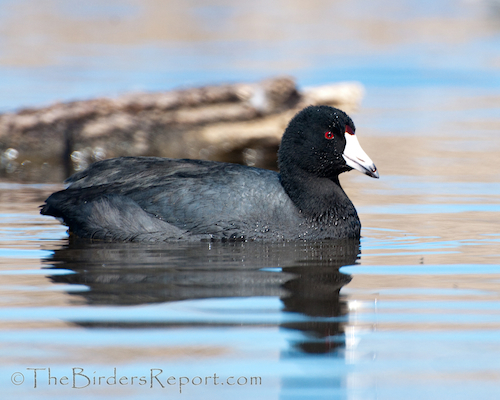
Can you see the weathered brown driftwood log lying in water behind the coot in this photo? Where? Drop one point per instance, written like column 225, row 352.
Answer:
column 237, row 123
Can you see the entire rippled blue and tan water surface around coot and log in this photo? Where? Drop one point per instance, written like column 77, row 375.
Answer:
column 410, row 312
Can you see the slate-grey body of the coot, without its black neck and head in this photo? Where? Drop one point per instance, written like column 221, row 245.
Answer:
column 145, row 198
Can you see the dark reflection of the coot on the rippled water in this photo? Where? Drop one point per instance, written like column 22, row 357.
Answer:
column 304, row 275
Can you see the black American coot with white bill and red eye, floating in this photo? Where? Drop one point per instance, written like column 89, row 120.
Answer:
column 153, row 199
